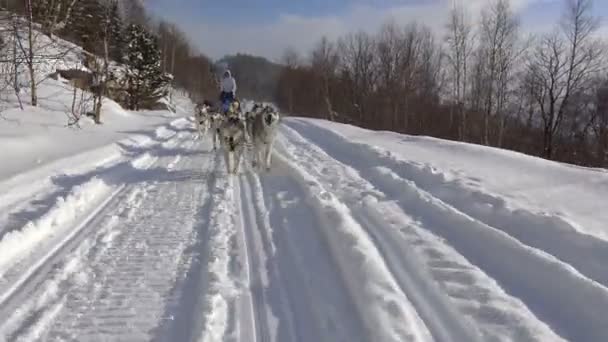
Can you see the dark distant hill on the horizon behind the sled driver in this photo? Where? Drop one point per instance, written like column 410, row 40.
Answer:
column 256, row 77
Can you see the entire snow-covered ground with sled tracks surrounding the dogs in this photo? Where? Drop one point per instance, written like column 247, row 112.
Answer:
column 136, row 233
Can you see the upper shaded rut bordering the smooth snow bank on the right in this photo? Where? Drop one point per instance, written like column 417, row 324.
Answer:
column 584, row 252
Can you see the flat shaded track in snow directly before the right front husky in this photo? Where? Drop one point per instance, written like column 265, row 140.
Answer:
column 317, row 294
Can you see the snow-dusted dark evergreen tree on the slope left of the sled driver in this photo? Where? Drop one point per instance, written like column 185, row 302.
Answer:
column 146, row 82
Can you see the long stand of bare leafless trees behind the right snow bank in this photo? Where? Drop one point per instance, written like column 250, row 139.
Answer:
column 502, row 88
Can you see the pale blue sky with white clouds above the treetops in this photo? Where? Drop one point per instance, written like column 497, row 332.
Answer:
column 267, row 27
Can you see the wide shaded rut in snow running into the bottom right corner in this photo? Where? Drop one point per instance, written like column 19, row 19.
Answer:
column 583, row 318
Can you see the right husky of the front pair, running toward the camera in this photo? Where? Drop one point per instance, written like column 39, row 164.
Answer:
column 264, row 129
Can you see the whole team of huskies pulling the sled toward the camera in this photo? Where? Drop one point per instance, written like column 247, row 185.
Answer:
column 235, row 129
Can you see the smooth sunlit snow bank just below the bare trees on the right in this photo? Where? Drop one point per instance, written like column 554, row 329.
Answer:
column 500, row 180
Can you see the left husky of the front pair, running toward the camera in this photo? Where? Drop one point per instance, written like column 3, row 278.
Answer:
column 233, row 139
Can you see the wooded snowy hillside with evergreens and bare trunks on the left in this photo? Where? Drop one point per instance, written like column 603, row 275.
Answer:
column 129, row 56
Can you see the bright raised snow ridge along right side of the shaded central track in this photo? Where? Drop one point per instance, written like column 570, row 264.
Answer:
column 386, row 312
